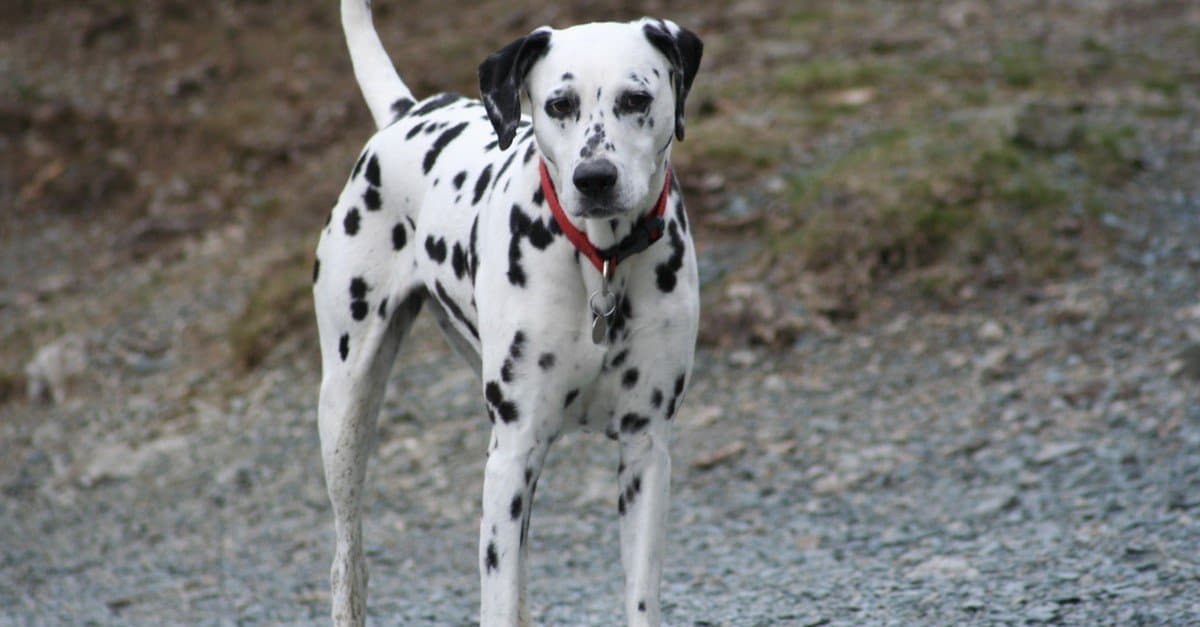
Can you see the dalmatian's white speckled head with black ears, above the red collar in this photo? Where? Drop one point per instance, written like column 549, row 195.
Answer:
column 607, row 101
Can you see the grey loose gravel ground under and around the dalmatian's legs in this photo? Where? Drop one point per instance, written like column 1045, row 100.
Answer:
column 1033, row 458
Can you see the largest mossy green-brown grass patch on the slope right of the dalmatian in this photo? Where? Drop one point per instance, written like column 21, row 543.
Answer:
column 952, row 195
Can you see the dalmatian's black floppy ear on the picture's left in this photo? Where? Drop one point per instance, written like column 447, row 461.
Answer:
column 501, row 77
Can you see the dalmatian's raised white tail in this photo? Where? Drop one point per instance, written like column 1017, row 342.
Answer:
column 387, row 95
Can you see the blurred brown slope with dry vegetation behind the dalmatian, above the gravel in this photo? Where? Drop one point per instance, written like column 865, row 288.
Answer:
column 835, row 151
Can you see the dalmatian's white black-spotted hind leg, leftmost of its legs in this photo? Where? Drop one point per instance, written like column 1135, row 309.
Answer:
column 365, row 304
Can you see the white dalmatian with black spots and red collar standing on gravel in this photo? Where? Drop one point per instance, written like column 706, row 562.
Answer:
column 544, row 228
